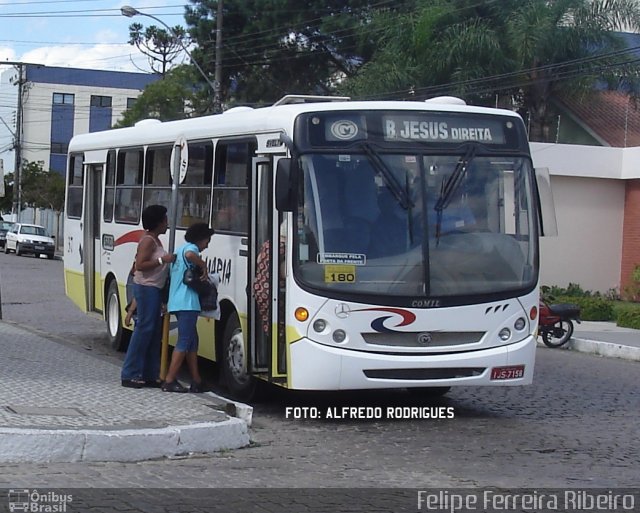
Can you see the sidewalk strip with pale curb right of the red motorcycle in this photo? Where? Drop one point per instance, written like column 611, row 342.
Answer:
column 605, row 339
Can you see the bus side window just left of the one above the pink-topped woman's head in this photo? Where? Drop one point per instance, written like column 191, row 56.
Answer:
column 129, row 186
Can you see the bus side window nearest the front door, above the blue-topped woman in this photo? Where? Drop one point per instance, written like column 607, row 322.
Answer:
column 231, row 186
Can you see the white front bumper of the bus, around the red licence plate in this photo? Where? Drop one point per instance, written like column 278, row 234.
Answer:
column 318, row 367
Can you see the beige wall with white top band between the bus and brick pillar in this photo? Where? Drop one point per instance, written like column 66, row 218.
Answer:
column 588, row 190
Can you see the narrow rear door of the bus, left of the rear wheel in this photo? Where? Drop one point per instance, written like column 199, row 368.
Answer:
column 92, row 238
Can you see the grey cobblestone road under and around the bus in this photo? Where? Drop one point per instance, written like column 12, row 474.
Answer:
column 575, row 427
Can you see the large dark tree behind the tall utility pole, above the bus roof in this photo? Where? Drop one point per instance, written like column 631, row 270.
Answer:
column 277, row 47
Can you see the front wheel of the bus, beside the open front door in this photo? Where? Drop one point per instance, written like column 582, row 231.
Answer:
column 237, row 379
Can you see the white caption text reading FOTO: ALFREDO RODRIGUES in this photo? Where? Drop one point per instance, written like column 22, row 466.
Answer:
column 370, row 412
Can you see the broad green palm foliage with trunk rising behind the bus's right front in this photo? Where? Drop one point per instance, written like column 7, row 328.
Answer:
column 528, row 51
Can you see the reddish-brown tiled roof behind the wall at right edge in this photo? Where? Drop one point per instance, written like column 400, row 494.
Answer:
column 611, row 115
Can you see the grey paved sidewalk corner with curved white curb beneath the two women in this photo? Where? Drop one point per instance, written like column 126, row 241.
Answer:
column 60, row 404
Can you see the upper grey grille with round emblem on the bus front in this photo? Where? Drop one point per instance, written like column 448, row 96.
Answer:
column 424, row 338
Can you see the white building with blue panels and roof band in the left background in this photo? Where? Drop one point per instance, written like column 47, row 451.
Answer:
column 58, row 103
